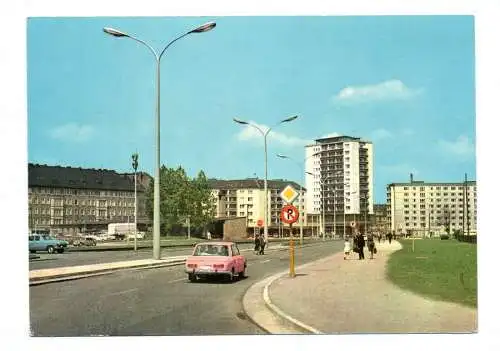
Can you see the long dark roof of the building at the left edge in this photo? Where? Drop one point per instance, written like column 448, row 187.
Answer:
column 83, row 178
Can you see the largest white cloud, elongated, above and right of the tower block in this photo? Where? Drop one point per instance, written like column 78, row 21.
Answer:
column 388, row 90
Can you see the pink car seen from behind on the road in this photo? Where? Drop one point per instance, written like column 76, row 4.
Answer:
column 216, row 258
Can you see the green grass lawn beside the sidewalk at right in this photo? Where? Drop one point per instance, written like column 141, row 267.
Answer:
column 439, row 269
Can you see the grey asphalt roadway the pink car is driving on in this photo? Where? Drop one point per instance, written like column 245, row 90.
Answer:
column 158, row 301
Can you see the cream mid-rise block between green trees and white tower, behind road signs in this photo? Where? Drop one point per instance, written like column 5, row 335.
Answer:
column 246, row 198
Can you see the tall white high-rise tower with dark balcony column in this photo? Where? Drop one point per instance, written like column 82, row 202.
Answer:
column 339, row 176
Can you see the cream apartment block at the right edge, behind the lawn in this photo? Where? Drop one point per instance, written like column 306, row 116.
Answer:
column 425, row 209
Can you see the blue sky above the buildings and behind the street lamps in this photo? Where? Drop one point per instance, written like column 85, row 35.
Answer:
column 405, row 83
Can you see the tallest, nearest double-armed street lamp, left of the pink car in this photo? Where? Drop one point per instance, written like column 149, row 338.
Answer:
column 156, row 208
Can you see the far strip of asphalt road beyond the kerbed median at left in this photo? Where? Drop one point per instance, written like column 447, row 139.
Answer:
column 93, row 257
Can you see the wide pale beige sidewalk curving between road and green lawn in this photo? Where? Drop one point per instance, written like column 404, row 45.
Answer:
column 353, row 296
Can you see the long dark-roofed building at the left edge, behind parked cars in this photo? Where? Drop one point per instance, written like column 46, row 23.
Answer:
column 68, row 200
